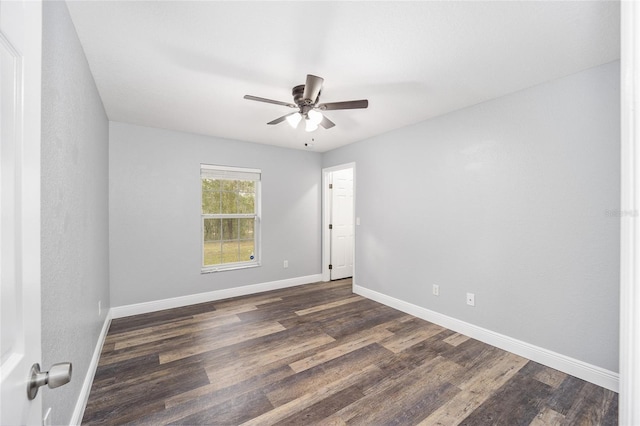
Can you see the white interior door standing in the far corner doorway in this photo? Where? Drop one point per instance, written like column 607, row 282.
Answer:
column 341, row 224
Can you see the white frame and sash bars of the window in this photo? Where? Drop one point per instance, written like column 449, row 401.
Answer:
column 233, row 173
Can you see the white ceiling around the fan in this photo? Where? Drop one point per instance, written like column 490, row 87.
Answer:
column 187, row 65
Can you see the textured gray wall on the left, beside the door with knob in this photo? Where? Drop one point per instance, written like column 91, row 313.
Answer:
column 75, row 237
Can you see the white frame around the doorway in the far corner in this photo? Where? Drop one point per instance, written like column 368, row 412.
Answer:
column 326, row 216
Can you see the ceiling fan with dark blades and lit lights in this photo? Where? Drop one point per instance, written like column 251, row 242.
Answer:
column 305, row 100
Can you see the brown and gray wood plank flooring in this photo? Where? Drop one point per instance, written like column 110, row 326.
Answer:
column 318, row 354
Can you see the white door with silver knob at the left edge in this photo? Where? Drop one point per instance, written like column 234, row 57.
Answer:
column 20, row 65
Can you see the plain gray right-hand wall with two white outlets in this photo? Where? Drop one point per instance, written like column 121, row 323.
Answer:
column 512, row 200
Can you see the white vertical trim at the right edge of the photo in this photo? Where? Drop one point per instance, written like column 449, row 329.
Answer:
column 629, row 409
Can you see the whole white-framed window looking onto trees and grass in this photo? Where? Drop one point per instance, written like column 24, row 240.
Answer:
column 230, row 217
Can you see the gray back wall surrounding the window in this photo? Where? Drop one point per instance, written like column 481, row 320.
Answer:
column 155, row 212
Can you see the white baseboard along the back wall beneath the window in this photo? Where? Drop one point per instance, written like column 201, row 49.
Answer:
column 176, row 302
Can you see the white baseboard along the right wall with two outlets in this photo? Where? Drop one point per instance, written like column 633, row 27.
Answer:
column 591, row 373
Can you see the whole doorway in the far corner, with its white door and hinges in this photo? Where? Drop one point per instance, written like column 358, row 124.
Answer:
column 338, row 233
